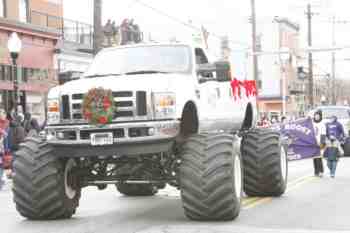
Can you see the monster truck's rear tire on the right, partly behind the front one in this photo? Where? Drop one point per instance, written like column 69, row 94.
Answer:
column 265, row 163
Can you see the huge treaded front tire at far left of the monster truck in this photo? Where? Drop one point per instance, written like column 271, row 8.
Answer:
column 40, row 183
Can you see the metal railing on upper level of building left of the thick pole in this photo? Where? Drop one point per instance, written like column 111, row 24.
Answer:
column 72, row 31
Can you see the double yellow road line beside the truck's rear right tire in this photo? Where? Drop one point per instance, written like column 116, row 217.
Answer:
column 251, row 202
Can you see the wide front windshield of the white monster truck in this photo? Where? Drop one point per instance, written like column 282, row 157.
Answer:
column 148, row 59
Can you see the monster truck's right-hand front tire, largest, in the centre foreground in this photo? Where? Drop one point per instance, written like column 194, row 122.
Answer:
column 211, row 177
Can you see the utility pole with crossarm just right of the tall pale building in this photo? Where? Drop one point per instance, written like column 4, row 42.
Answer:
column 311, row 79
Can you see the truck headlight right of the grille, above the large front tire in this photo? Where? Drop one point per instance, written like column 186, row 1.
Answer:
column 164, row 105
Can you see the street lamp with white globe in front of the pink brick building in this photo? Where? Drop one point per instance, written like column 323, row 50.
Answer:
column 14, row 45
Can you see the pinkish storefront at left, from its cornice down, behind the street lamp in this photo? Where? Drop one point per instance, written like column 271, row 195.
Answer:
column 36, row 72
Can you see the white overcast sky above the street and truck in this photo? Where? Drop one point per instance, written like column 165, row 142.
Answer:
column 228, row 17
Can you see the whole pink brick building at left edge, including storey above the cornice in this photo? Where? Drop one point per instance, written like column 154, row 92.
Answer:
column 36, row 63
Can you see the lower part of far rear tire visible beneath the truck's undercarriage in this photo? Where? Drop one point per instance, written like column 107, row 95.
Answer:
column 137, row 189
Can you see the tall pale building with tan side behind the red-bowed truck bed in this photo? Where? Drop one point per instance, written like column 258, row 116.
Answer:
column 276, row 74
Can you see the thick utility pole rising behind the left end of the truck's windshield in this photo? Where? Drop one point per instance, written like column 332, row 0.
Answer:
column 98, row 32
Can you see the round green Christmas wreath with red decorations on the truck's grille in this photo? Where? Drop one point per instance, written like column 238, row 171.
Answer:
column 98, row 106
